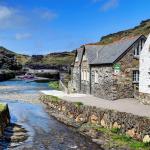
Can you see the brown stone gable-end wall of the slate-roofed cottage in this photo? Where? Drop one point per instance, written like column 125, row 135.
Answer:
column 123, row 82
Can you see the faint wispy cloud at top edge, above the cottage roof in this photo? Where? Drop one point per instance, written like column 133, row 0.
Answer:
column 109, row 5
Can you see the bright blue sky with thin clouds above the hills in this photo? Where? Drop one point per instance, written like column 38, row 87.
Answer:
column 45, row 26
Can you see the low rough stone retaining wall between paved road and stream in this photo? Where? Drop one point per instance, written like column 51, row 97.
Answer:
column 79, row 115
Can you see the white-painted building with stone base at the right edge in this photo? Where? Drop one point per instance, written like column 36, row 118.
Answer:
column 144, row 83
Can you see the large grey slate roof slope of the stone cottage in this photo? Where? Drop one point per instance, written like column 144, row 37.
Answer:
column 108, row 54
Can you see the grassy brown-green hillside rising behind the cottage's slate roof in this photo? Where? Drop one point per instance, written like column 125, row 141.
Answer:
column 142, row 28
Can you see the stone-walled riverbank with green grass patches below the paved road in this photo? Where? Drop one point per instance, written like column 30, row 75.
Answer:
column 108, row 128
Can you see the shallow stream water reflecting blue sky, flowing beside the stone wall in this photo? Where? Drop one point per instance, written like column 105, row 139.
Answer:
column 45, row 133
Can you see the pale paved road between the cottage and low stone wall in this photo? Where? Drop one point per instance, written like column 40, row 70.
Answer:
column 122, row 105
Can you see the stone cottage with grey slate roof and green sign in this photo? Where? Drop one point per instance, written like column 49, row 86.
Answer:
column 108, row 71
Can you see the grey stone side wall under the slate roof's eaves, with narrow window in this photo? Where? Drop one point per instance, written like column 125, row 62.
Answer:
column 104, row 87
